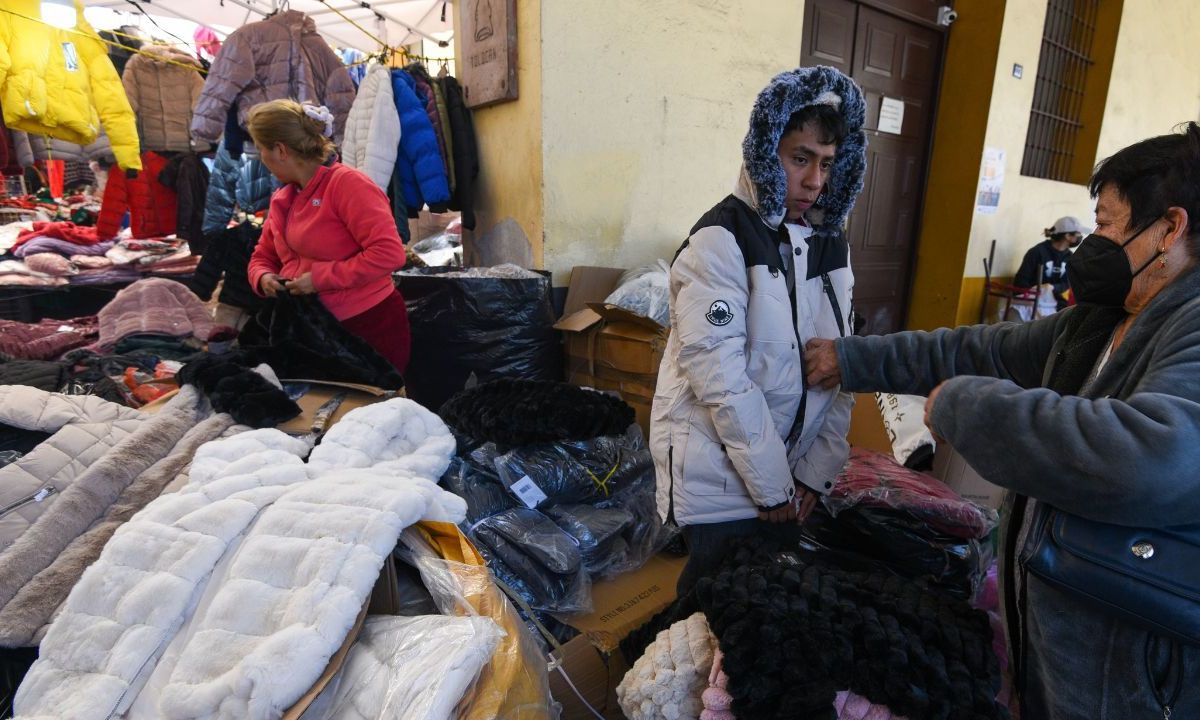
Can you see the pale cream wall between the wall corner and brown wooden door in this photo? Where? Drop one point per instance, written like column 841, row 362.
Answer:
column 646, row 105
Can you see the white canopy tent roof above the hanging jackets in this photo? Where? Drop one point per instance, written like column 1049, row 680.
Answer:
column 345, row 23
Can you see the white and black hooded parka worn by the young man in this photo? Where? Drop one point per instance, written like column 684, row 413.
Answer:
column 734, row 428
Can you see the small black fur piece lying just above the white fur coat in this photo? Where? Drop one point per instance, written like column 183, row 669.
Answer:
column 236, row 389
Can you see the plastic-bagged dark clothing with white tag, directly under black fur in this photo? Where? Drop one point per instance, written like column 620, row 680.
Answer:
column 571, row 472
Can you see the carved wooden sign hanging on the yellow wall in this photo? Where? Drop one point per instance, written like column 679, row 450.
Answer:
column 489, row 43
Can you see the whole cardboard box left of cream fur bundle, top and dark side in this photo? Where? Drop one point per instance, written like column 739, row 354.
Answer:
column 592, row 661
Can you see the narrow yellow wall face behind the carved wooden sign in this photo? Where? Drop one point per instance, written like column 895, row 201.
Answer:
column 511, row 178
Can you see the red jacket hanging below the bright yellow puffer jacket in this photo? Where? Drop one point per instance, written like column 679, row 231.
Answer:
column 151, row 203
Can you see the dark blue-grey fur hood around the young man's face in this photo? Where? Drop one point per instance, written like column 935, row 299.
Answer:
column 764, row 184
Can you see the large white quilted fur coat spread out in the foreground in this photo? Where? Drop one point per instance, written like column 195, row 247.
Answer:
column 308, row 544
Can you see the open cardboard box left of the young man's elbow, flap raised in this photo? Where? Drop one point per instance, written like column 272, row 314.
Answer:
column 609, row 347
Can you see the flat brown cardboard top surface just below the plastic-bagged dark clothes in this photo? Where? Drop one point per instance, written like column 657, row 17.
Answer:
column 627, row 602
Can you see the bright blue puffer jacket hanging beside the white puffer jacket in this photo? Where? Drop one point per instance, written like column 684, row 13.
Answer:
column 421, row 166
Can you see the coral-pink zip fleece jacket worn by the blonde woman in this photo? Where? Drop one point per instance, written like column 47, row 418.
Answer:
column 340, row 229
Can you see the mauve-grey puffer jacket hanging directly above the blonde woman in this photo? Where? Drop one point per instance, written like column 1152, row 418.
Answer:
column 279, row 58
